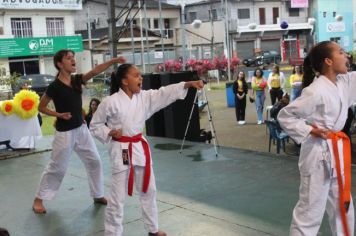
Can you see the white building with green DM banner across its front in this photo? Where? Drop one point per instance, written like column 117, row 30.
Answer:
column 32, row 31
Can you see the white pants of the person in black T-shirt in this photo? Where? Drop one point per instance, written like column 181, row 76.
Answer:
column 81, row 141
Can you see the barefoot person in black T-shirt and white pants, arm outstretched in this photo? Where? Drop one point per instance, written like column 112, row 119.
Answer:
column 71, row 132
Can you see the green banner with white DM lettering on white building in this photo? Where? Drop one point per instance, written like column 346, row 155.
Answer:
column 16, row 47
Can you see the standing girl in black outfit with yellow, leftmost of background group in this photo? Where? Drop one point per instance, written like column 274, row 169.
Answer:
column 240, row 90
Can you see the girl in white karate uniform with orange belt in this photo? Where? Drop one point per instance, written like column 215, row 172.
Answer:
column 312, row 120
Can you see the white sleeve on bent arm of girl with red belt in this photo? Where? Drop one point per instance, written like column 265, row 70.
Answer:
column 98, row 126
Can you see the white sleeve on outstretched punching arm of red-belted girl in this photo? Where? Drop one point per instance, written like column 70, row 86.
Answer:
column 155, row 100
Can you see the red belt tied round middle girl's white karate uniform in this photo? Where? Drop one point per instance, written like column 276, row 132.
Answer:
column 146, row 179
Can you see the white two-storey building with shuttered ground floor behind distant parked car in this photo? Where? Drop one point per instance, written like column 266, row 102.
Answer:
column 255, row 25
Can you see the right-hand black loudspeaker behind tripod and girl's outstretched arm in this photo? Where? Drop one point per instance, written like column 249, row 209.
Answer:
column 177, row 114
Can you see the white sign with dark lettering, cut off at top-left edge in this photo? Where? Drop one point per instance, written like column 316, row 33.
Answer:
column 41, row 4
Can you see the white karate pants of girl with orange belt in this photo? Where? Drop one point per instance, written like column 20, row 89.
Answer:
column 317, row 193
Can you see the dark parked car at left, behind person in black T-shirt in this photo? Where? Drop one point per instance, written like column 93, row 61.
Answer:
column 36, row 82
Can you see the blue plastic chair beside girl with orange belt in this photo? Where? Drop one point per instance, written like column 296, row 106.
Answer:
column 277, row 135
